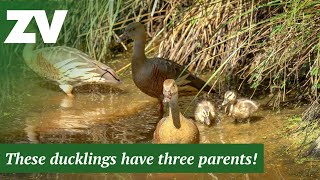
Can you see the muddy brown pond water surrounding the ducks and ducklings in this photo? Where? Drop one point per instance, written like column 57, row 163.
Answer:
column 33, row 110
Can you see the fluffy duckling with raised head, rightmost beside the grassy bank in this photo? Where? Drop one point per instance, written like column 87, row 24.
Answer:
column 239, row 109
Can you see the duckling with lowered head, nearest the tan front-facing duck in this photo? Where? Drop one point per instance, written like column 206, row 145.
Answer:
column 205, row 112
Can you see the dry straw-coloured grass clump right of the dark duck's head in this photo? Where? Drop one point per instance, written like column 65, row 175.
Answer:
column 266, row 44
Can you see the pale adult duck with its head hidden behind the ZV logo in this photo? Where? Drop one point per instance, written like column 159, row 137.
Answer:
column 68, row 67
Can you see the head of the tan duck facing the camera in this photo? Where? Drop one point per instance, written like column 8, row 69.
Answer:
column 170, row 90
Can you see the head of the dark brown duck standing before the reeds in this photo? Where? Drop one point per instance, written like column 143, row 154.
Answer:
column 133, row 31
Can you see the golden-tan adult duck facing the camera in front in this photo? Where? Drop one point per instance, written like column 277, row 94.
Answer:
column 175, row 128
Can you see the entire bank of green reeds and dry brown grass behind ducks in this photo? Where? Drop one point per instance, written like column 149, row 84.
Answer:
column 268, row 45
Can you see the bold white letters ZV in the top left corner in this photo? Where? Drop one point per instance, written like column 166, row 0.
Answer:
column 49, row 33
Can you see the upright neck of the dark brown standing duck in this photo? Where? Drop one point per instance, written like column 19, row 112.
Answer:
column 139, row 56
